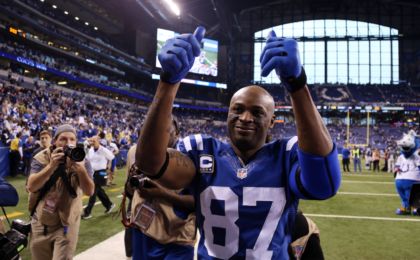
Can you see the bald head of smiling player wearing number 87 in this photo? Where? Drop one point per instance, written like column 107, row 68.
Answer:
column 250, row 116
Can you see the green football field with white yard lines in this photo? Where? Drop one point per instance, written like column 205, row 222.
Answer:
column 358, row 223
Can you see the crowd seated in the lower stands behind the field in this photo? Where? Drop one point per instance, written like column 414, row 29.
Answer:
column 26, row 111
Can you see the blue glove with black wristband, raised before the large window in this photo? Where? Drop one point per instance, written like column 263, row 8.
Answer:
column 282, row 54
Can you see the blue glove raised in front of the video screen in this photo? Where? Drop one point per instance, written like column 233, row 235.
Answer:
column 178, row 54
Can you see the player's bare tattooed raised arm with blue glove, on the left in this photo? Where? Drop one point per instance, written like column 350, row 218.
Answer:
column 174, row 169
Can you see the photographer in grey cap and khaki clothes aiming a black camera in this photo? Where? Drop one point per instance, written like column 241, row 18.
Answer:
column 59, row 176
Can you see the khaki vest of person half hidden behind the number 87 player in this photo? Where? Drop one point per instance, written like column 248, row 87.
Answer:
column 166, row 227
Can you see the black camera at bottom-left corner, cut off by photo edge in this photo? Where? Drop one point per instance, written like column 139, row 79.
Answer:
column 14, row 240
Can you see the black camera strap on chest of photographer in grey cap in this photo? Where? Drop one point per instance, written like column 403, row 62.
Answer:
column 59, row 172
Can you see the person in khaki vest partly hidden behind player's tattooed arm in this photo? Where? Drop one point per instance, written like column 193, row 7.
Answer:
column 162, row 221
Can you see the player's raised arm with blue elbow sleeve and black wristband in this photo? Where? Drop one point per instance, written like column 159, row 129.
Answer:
column 318, row 174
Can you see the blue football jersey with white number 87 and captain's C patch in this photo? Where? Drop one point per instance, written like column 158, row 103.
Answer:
column 243, row 211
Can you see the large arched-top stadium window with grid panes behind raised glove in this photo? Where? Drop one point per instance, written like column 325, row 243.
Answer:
column 357, row 52
